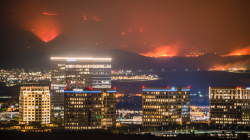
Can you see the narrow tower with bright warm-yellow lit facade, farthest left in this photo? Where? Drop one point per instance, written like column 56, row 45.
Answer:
column 34, row 104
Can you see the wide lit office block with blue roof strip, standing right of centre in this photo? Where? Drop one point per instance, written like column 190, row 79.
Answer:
column 162, row 106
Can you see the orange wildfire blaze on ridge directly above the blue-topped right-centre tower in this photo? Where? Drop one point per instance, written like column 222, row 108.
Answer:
column 164, row 51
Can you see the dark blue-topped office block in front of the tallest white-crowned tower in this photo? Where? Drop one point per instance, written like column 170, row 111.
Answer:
column 89, row 109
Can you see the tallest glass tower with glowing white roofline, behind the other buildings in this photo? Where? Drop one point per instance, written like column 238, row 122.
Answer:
column 72, row 72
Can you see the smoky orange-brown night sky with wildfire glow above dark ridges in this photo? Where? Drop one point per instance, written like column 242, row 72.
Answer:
column 140, row 26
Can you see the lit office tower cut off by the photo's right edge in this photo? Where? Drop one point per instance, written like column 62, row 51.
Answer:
column 229, row 105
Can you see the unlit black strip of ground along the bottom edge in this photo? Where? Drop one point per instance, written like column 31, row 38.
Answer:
column 13, row 135
